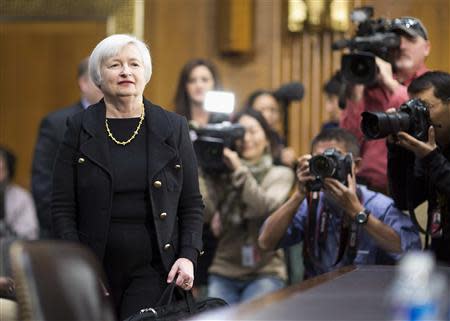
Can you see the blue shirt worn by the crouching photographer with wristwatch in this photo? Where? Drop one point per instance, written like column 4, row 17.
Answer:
column 368, row 252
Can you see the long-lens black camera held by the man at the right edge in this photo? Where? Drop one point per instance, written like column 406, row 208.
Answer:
column 412, row 117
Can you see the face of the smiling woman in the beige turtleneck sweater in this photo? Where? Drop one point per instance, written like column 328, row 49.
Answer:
column 255, row 141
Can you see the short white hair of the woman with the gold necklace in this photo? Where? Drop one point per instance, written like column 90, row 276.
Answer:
column 110, row 47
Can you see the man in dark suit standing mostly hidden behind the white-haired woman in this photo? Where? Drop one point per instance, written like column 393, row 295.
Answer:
column 51, row 134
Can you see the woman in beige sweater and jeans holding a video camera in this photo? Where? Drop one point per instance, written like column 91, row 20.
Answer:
column 244, row 197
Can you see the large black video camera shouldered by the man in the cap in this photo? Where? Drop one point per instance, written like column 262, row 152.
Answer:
column 373, row 38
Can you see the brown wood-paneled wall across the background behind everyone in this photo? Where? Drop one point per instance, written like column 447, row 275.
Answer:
column 39, row 61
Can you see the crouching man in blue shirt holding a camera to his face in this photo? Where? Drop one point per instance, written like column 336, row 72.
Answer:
column 361, row 226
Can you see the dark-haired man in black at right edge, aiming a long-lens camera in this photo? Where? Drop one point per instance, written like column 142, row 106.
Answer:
column 420, row 170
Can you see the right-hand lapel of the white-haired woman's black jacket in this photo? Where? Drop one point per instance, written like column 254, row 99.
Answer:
column 159, row 129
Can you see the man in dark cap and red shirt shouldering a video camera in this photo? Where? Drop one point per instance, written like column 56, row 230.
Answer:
column 389, row 91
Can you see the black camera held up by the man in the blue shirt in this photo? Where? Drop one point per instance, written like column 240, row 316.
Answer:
column 331, row 163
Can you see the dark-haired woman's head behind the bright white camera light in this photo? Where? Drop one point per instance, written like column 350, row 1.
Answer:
column 196, row 78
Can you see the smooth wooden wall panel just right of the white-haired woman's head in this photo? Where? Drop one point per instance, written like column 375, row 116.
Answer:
column 180, row 30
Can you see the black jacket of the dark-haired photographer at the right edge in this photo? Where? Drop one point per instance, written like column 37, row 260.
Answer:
column 413, row 181
